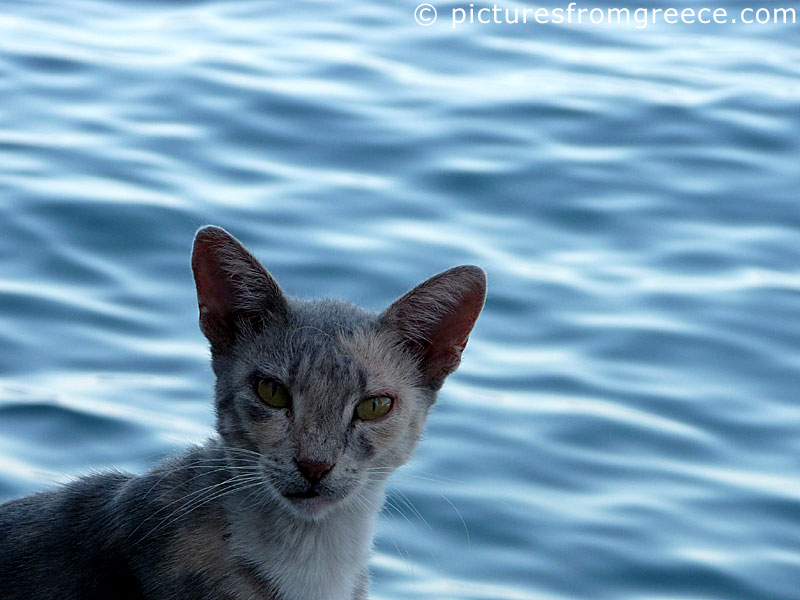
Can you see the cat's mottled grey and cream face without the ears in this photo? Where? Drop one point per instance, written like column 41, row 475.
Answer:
column 322, row 376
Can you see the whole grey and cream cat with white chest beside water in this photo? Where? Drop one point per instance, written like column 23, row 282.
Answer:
column 317, row 402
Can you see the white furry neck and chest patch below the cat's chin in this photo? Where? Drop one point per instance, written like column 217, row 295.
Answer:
column 324, row 559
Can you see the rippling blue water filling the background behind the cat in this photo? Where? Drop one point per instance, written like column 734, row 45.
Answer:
column 625, row 424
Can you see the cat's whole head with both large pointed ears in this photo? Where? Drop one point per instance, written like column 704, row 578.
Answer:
column 330, row 396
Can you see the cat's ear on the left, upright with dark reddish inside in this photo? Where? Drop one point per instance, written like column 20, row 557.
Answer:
column 233, row 290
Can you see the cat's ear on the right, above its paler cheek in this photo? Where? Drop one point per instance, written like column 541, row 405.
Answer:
column 434, row 319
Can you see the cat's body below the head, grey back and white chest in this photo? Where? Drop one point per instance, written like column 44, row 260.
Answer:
column 88, row 529
